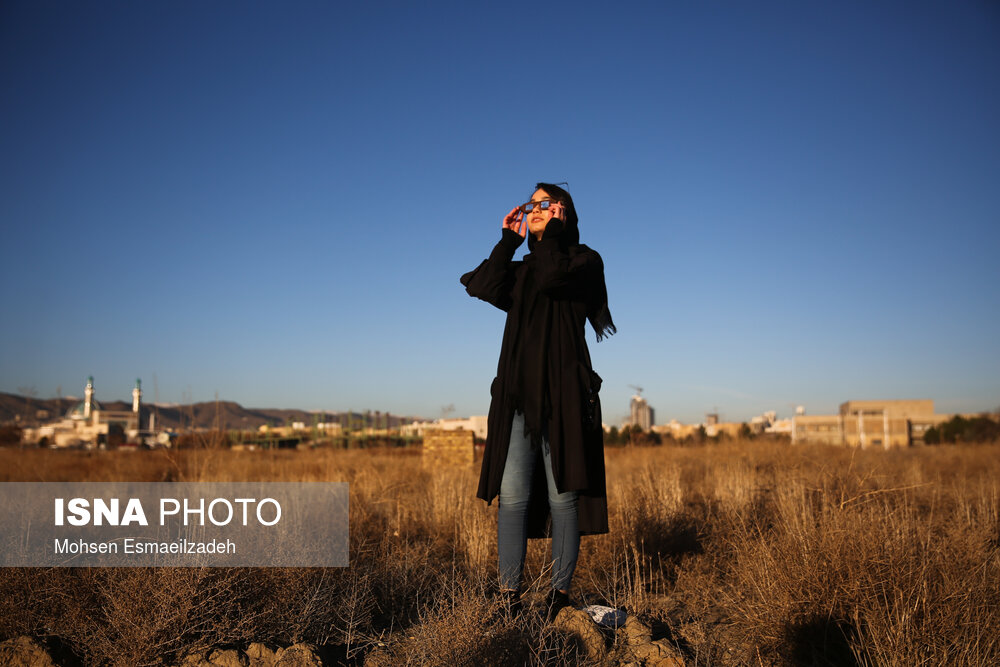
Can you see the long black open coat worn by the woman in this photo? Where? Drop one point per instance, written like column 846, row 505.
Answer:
column 545, row 369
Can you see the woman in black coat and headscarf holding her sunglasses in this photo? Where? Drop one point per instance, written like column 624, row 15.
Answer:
column 545, row 443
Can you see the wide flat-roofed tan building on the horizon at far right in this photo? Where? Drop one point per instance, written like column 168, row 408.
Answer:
column 894, row 423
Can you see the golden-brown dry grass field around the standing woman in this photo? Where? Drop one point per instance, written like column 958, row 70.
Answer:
column 743, row 553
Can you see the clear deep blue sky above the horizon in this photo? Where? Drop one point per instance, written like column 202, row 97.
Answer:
column 796, row 202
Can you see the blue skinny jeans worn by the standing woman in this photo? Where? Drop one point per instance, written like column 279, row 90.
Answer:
column 512, row 520
